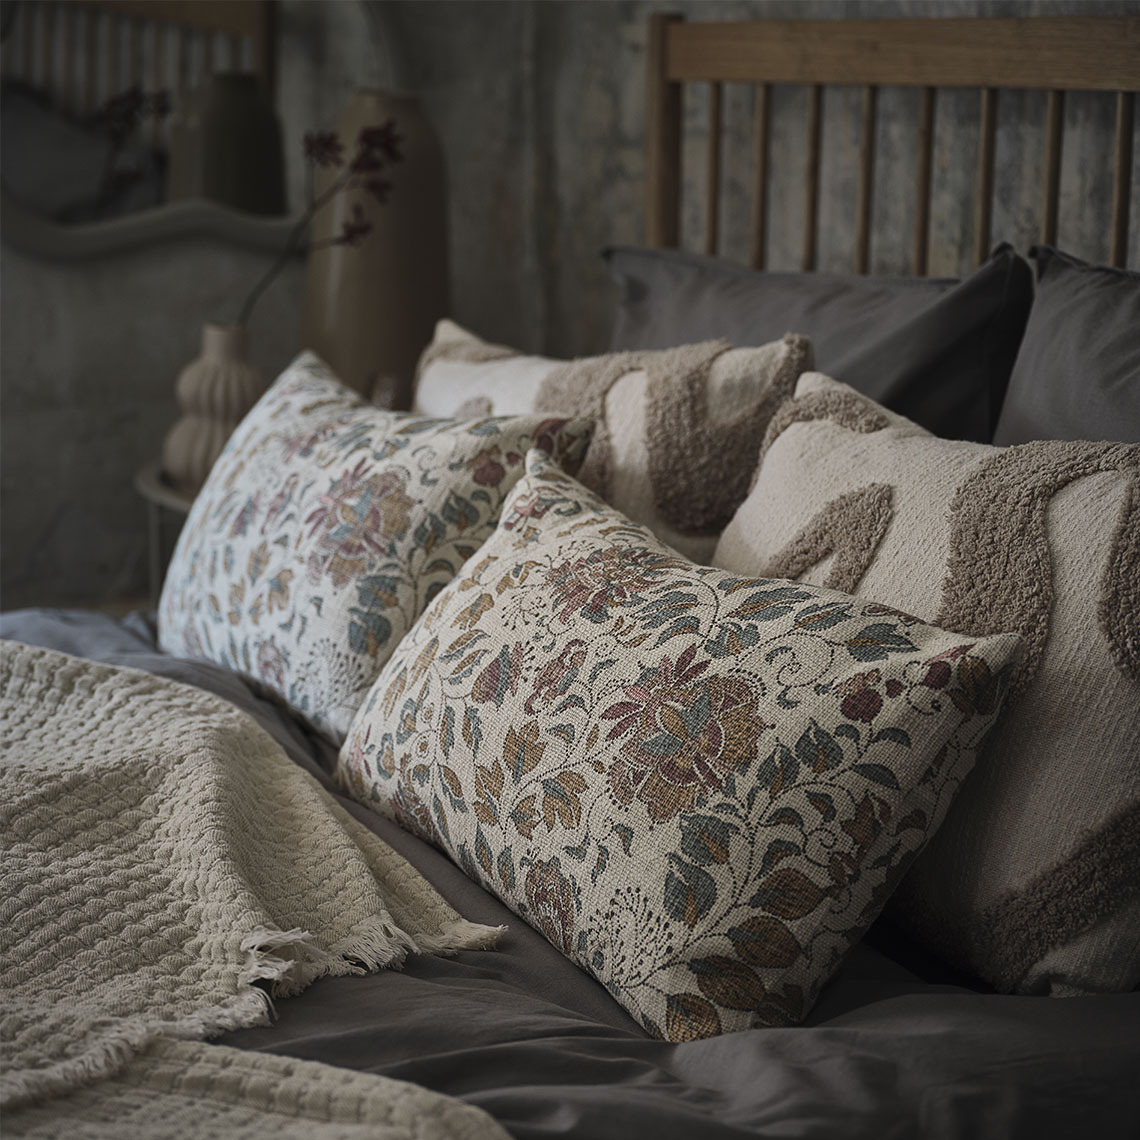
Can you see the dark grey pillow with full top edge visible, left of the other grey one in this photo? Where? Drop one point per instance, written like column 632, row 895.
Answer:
column 937, row 351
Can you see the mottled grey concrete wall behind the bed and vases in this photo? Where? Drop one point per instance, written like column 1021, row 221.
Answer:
column 541, row 112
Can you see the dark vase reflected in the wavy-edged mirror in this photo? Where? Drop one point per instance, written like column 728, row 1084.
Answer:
column 226, row 145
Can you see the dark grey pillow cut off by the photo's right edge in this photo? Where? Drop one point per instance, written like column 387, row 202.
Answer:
column 1078, row 372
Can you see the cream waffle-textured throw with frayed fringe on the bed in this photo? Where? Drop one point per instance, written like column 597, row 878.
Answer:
column 161, row 856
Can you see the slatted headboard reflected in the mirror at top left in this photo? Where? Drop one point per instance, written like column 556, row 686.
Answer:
column 85, row 52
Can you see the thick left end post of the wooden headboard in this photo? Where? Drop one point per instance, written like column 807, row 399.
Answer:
column 663, row 203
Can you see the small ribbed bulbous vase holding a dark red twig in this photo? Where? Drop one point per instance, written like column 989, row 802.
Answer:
column 215, row 392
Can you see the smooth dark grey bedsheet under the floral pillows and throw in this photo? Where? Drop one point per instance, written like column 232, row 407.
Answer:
column 530, row 1038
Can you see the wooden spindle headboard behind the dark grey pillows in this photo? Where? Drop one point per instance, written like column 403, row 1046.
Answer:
column 992, row 56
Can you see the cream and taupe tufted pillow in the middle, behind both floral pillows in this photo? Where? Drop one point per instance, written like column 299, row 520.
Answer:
column 677, row 434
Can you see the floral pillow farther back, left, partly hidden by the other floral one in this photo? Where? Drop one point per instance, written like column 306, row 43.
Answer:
column 325, row 528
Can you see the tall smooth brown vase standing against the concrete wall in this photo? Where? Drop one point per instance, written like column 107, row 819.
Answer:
column 370, row 310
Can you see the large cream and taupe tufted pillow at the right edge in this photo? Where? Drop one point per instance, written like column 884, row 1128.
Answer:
column 1032, row 882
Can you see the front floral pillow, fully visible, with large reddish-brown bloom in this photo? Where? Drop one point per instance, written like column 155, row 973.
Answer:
column 699, row 787
